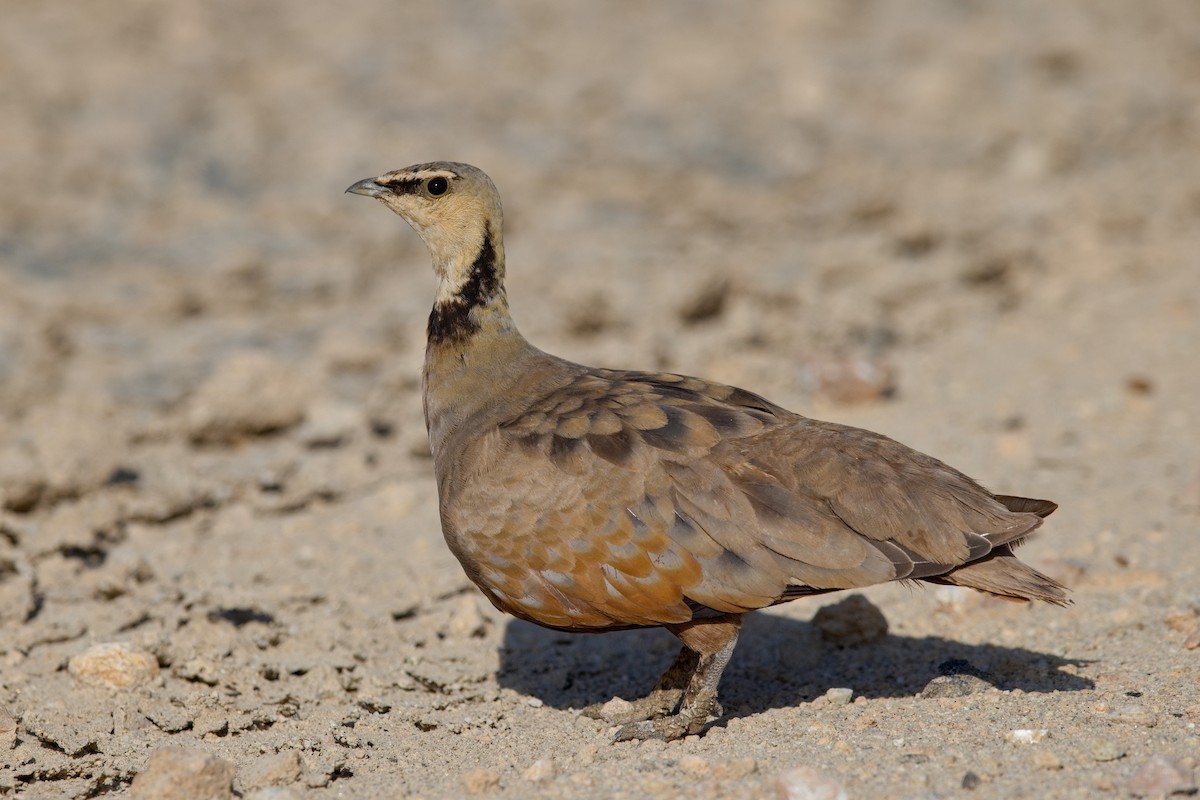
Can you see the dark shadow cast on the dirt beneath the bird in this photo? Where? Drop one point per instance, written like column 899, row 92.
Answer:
column 779, row 663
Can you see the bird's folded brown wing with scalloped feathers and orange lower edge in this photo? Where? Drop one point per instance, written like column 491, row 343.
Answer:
column 631, row 498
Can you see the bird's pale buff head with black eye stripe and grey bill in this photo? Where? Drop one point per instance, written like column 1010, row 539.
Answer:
column 455, row 208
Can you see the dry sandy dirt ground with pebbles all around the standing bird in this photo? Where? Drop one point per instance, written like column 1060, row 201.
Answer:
column 212, row 449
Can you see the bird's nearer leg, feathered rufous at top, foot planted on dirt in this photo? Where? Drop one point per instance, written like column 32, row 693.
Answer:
column 713, row 642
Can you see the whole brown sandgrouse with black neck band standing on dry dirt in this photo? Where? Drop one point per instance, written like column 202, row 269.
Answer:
column 590, row 500
